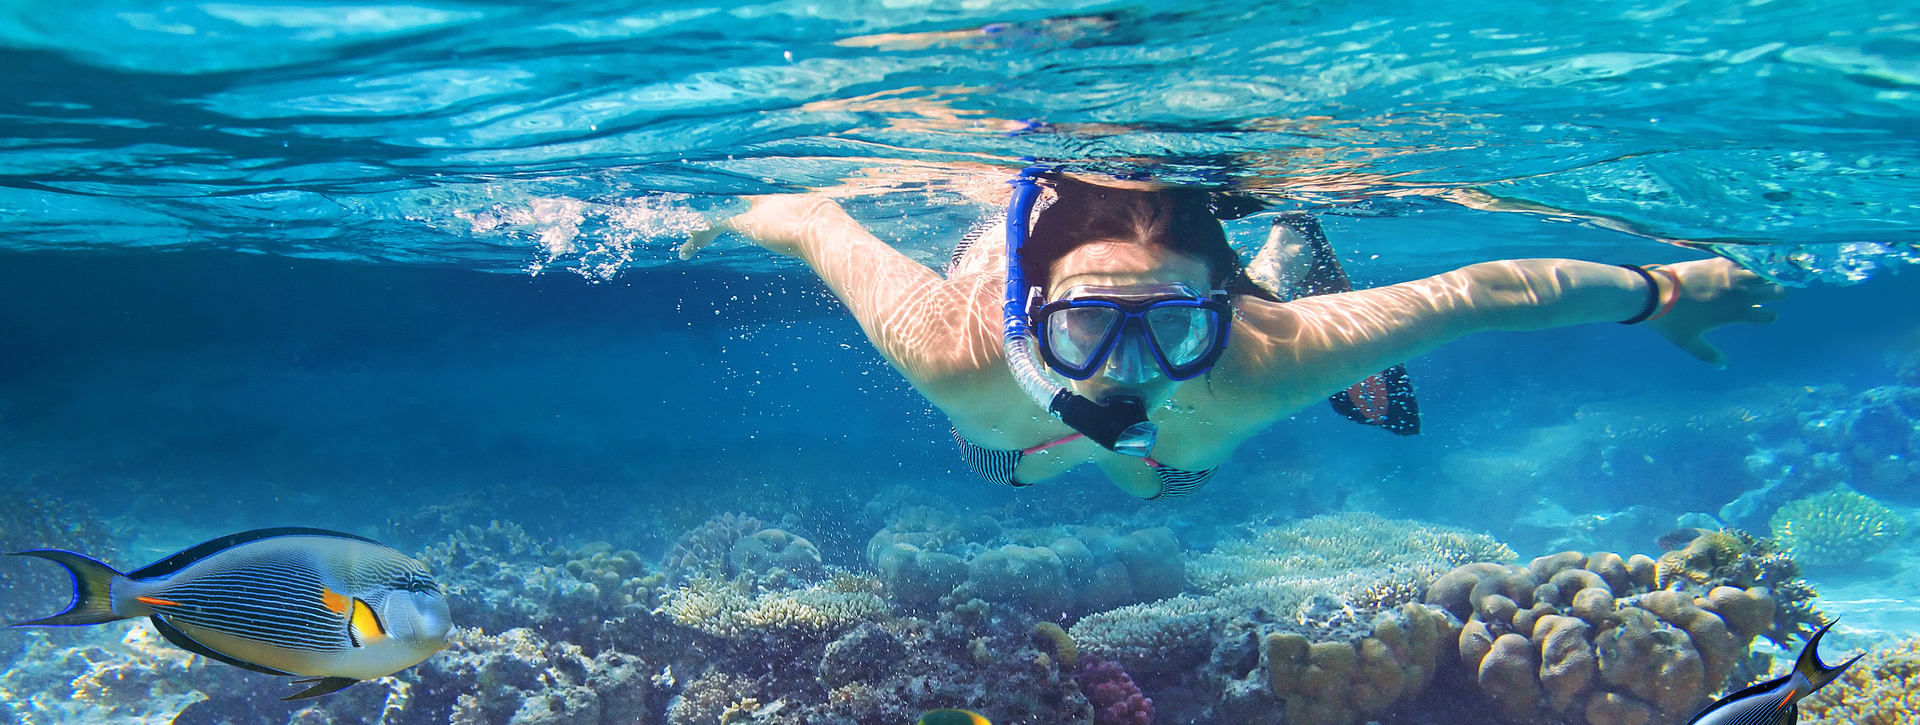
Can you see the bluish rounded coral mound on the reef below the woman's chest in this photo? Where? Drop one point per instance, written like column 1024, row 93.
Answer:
column 928, row 555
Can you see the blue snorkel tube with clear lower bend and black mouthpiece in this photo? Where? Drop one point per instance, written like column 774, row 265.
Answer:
column 1118, row 425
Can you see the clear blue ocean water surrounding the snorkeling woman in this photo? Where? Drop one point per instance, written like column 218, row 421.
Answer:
column 408, row 269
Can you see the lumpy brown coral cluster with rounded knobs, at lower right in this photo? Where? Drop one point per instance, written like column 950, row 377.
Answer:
column 1596, row 640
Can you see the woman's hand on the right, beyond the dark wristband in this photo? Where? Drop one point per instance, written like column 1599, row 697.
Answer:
column 1716, row 292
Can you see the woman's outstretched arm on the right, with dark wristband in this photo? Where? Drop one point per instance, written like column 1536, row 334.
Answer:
column 1316, row 346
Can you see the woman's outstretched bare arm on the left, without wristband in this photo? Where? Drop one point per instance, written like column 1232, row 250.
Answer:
column 940, row 335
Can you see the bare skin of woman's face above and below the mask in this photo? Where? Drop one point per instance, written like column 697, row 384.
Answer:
column 1116, row 266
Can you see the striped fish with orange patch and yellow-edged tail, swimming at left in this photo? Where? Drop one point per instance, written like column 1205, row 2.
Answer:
column 299, row 603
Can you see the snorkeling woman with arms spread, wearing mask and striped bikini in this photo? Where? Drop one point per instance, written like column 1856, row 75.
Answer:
column 1163, row 354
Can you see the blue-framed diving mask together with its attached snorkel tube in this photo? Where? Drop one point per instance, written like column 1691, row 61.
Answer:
column 1082, row 333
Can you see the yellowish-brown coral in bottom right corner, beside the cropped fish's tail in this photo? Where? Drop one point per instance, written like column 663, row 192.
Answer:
column 1881, row 690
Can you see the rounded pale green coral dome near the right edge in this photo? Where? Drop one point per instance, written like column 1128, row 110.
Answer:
column 1836, row 528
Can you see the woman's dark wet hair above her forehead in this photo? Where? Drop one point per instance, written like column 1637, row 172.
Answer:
column 1180, row 220
